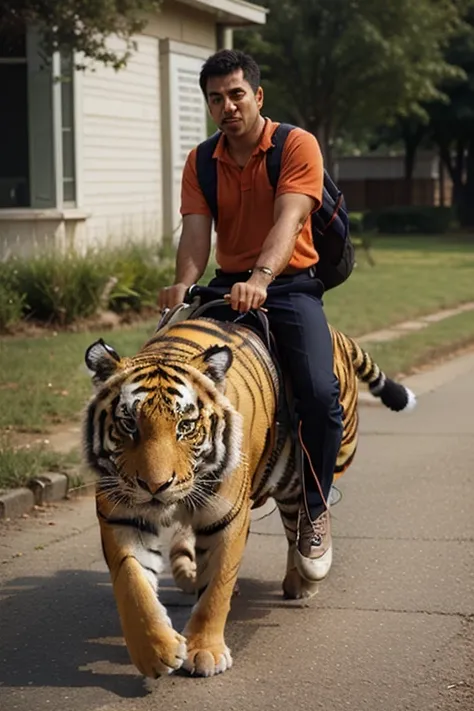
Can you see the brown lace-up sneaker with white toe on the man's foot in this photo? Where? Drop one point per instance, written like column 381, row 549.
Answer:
column 313, row 555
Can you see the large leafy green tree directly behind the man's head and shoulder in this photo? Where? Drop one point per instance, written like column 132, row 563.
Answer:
column 334, row 66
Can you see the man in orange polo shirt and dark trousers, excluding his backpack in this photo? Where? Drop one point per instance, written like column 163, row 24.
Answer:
column 263, row 240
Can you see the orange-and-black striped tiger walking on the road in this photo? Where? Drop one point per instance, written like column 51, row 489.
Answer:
column 189, row 433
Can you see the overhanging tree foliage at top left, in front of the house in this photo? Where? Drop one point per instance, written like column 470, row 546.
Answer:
column 80, row 25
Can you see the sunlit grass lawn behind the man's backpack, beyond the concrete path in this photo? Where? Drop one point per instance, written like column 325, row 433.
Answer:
column 412, row 276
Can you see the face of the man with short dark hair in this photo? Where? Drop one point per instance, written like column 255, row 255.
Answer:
column 232, row 103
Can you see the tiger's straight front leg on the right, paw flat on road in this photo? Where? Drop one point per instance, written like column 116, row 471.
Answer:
column 219, row 551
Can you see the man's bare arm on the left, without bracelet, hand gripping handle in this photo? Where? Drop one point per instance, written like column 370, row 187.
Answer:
column 191, row 260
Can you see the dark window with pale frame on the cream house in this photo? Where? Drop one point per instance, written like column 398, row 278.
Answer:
column 37, row 140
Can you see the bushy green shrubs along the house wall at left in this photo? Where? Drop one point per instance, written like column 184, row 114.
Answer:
column 58, row 288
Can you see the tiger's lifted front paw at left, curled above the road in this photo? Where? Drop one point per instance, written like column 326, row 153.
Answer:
column 162, row 652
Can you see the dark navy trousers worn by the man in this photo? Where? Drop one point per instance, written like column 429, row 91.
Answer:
column 300, row 329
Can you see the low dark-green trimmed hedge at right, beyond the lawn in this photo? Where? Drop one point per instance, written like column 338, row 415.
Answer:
column 414, row 220
